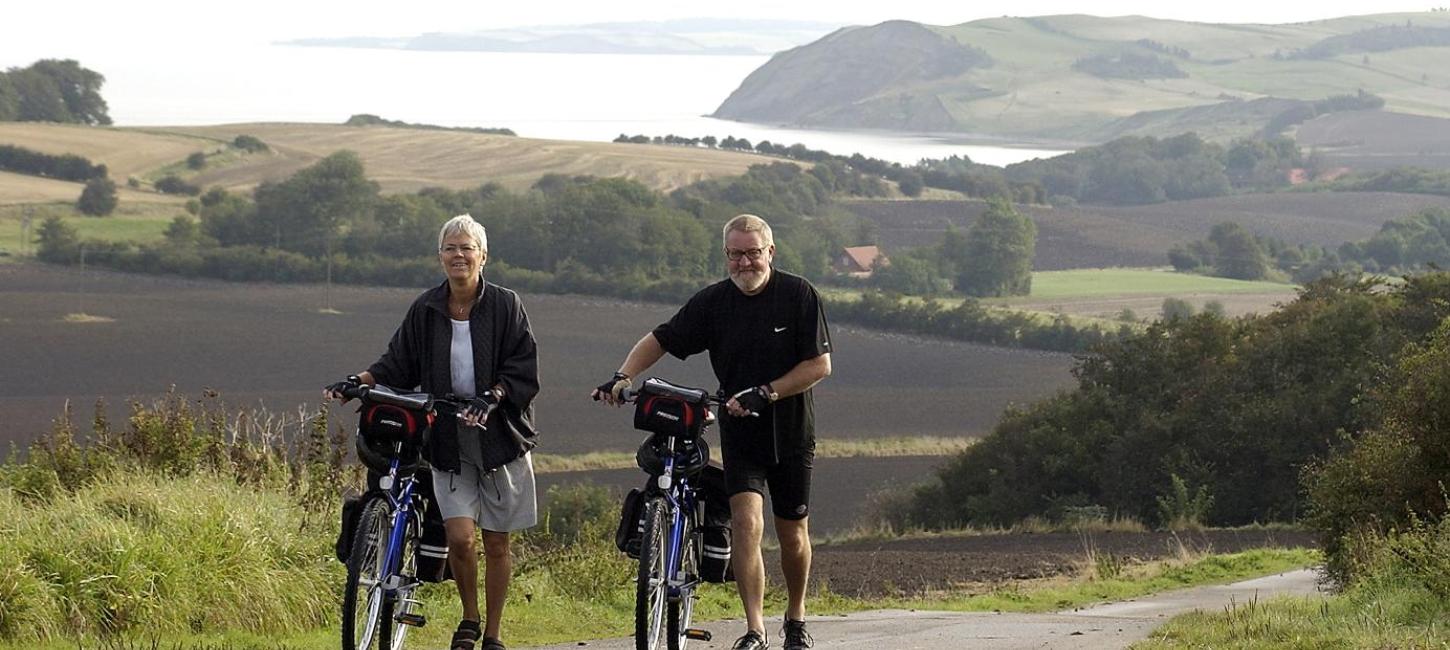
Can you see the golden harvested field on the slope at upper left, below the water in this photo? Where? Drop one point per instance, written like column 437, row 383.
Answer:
column 401, row 160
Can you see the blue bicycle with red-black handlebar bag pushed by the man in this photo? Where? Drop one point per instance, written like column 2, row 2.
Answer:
column 674, row 554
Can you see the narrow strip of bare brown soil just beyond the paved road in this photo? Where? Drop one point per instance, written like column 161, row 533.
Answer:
column 978, row 564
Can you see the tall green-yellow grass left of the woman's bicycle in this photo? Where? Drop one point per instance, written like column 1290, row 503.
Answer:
column 192, row 519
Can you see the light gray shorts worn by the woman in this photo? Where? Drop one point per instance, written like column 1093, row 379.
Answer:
column 501, row 501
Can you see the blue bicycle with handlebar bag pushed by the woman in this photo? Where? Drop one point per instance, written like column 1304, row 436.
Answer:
column 386, row 549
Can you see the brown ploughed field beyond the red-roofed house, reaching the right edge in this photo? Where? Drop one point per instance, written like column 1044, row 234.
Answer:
column 1098, row 237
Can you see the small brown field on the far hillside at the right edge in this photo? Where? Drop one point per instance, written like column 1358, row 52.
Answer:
column 1377, row 140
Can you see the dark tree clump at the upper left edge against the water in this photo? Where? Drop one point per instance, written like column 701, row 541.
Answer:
column 53, row 91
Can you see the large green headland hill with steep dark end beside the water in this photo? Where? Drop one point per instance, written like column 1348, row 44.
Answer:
column 1088, row 79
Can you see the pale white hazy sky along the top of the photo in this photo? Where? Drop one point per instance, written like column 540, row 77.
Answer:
column 34, row 30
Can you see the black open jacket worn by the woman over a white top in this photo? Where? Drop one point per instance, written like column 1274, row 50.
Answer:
column 504, row 353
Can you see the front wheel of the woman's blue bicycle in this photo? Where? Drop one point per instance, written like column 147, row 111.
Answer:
column 366, row 610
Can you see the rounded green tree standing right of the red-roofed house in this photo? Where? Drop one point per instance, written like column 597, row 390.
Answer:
column 1000, row 250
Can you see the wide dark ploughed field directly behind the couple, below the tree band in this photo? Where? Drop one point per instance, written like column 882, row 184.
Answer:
column 270, row 345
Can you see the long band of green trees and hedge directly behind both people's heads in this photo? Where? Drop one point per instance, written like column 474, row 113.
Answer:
column 576, row 234
